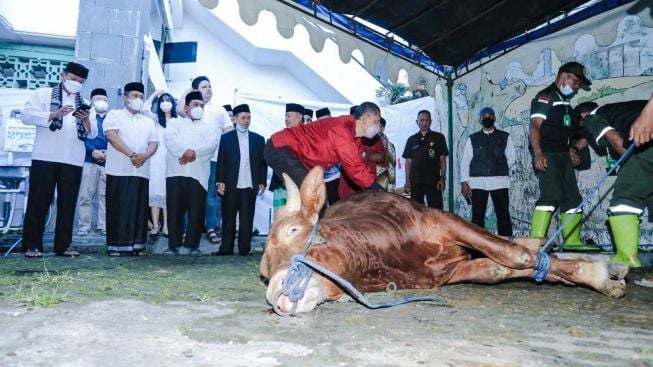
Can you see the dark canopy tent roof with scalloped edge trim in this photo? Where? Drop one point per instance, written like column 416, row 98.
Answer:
column 426, row 38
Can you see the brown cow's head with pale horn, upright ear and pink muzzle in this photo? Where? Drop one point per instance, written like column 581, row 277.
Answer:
column 291, row 228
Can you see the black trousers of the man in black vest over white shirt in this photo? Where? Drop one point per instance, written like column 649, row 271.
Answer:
column 501, row 201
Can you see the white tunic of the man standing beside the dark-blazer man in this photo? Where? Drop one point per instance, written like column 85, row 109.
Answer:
column 183, row 134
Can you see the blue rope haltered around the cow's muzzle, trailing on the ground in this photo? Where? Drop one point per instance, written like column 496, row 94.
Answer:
column 301, row 270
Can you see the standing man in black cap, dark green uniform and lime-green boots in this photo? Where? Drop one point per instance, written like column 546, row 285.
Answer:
column 555, row 158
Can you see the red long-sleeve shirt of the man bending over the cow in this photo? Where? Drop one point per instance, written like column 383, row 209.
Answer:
column 326, row 143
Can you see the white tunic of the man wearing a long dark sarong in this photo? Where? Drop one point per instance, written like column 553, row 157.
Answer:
column 137, row 131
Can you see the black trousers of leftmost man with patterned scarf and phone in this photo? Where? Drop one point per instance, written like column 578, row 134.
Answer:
column 45, row 177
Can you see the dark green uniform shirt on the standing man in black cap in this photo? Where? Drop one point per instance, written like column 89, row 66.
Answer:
column 552, row 106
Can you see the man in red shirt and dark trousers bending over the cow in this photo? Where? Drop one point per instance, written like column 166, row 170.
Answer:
column 325, row 143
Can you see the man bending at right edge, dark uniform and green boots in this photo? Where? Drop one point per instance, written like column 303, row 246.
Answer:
column 609, row 126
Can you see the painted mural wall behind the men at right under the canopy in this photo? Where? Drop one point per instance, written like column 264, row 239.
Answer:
column 617, row 50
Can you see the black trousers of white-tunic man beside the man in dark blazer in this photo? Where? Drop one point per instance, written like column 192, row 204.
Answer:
column 185, row 195
